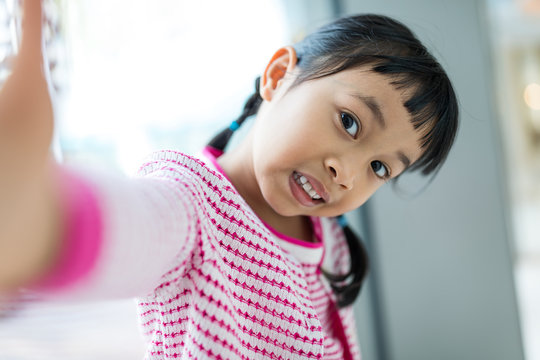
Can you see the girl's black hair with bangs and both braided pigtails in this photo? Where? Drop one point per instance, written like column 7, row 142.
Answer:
column 389, row 48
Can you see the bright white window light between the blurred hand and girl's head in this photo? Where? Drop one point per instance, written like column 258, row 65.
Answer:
column 145, row 75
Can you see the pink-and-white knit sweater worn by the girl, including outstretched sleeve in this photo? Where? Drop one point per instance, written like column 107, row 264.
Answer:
column 212, row 280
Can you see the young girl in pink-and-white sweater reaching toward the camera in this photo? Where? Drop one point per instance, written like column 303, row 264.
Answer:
column 238, row 255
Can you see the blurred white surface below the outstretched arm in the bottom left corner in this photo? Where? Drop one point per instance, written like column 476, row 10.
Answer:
column 105, row 331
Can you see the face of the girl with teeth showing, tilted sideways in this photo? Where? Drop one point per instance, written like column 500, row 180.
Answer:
column 323, row 147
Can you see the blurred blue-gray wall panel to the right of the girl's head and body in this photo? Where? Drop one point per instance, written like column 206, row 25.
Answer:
column 442, row 273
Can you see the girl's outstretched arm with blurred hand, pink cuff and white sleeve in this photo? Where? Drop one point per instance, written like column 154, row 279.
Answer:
column 66, row 230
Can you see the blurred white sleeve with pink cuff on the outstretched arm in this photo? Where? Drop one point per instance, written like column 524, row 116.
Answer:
column 143, row 228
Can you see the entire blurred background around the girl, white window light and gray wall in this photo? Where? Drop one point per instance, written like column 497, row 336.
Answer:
column 455, row 270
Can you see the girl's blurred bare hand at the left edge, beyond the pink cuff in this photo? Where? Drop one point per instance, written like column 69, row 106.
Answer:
column 29, row 211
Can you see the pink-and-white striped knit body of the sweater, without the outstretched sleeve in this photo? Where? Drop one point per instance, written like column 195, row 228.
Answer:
column 239, row 294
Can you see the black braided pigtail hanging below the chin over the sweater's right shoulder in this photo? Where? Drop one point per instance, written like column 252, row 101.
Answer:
column 347, row 287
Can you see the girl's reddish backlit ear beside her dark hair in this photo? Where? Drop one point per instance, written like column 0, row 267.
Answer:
column 282, row 63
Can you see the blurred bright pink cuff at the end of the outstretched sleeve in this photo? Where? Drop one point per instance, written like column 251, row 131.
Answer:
column 83, row 231
